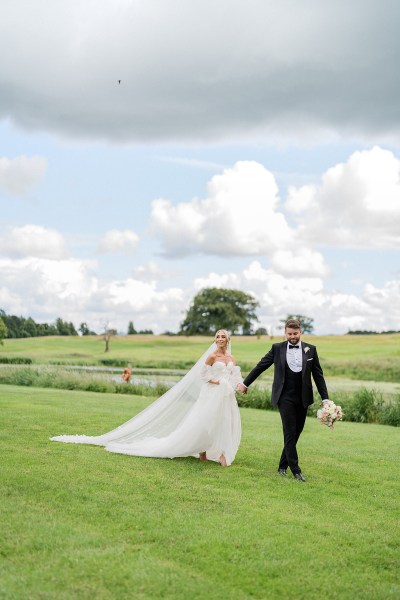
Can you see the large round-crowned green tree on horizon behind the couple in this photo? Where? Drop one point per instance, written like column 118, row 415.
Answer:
column 218, row 308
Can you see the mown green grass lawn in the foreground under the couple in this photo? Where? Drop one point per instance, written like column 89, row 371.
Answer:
column 81, row 523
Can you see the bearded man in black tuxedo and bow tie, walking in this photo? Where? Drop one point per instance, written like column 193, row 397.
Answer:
column 292, row 390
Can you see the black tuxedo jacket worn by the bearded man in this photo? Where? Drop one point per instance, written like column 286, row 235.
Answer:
column 310, row 367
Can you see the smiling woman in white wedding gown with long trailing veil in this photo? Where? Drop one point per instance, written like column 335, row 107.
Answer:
column 198, row 416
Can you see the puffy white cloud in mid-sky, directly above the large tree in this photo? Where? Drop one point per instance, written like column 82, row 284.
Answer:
column 239, row 216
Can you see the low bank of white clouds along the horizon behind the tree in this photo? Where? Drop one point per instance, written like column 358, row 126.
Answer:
column 46, row 289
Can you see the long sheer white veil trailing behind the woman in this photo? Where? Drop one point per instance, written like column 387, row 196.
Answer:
column 159, row 419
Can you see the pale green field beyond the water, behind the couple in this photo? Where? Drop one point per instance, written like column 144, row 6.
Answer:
column 370, row 357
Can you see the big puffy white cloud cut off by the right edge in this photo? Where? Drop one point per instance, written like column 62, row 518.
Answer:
column 357, row 203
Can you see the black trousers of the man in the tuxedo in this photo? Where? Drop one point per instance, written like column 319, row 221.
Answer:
column 293, row 415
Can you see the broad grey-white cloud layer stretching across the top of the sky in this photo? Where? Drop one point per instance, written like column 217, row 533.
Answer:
column 215, row 71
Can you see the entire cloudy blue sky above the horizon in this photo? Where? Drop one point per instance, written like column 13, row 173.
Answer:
column 152, row 148
